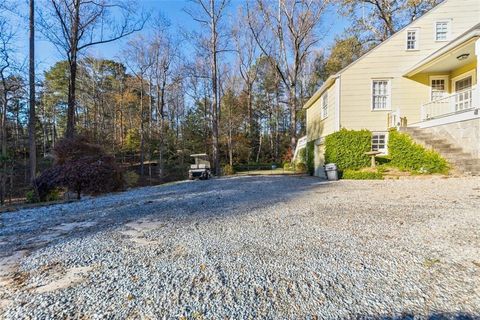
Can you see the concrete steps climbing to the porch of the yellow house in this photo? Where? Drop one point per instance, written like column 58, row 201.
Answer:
column 462, row 162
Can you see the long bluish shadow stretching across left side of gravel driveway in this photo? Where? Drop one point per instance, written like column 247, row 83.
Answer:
column 36, row 228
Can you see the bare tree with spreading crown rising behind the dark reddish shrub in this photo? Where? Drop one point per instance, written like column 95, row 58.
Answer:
column 75, row 25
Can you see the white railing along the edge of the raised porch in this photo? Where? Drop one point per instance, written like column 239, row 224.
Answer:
column 455, row 103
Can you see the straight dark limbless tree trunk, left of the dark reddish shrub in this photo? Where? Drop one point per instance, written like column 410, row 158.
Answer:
column 31, row 122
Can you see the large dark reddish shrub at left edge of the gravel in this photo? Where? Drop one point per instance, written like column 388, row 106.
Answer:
column 80, row 167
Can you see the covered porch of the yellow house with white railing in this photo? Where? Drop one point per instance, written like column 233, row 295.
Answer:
column 451, row 75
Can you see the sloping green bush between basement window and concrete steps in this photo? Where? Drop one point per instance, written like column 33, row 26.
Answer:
column 408, row 155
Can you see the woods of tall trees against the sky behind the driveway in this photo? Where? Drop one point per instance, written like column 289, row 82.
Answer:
column 232, row 85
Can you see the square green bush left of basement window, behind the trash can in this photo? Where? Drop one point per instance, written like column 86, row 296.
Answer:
column 347, row 148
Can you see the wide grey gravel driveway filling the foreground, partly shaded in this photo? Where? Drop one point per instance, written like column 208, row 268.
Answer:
column 276, row 247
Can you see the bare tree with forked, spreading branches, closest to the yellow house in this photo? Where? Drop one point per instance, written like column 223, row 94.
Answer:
column 286, row 34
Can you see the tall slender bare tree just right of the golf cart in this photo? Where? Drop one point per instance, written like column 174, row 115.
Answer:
column 212, row 12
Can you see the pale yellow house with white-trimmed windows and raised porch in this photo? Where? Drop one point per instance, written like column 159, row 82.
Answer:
column 424, row 76
